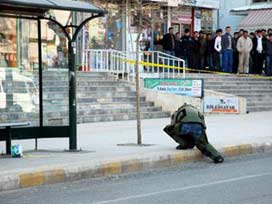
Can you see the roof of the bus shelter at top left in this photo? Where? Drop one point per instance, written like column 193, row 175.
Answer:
column 38, row 8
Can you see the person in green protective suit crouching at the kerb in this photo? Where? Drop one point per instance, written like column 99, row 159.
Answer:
column 188, row 129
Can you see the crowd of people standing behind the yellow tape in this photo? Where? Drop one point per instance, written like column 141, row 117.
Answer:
column 242, row 53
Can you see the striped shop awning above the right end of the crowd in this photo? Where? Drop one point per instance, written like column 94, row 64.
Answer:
column 257, row 19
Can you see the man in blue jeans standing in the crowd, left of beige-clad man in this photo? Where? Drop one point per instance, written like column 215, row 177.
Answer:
column 227, row 51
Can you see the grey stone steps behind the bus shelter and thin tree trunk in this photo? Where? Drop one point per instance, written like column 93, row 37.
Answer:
column 100, row 97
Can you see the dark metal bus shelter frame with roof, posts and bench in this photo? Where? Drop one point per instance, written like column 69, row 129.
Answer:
column 38, row 11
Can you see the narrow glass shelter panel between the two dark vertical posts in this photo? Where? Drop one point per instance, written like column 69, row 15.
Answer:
column 55, row 75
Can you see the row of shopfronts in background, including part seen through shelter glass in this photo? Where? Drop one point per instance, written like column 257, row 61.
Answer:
column 117, row 30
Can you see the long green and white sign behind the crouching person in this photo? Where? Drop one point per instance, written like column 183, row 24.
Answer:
column 184, row 87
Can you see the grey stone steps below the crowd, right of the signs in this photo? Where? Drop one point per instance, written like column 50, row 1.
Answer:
column 257, row 91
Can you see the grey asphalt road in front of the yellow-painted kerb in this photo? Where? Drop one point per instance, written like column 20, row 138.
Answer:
column 242, row 180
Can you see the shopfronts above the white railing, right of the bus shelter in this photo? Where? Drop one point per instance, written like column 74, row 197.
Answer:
column 120, row 25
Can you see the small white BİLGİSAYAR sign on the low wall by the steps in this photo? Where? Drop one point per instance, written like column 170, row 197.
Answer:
column 221, row 105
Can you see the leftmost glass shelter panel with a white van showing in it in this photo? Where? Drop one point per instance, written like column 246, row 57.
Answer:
column 19, row 88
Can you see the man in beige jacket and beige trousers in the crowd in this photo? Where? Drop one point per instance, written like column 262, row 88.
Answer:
column 244, row 46
